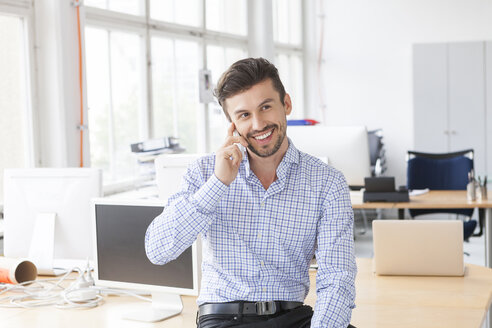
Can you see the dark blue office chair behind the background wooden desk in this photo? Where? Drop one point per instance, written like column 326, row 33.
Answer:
column 447, row 171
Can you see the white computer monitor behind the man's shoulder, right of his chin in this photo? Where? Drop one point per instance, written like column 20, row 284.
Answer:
column 347, row 148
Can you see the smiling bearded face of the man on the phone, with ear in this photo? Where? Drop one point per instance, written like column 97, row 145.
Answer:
column 260, row 117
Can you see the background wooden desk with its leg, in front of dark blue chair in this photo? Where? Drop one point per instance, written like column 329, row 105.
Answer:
column 441, row 199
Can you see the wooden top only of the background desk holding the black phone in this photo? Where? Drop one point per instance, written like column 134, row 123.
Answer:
column 432, row 199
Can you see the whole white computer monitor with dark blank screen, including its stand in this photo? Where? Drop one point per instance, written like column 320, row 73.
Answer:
column 121, row 261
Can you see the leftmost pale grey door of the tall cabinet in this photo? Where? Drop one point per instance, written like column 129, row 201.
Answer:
column 430, row 97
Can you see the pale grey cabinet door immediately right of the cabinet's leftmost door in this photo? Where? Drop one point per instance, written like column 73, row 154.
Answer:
column 467, row 99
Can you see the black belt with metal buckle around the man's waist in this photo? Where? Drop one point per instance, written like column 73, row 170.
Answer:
column 258, row 308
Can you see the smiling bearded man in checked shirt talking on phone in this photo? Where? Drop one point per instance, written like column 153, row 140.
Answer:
column 262, row 217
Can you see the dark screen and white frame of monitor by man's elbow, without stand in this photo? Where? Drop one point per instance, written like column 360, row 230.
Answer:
column 121, row 260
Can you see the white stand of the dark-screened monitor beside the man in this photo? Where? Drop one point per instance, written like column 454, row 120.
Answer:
column 164, row 305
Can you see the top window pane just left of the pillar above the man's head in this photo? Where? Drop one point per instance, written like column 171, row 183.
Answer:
column 229, row 16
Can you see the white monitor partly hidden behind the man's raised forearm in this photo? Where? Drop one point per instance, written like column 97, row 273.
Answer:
column 169, row 170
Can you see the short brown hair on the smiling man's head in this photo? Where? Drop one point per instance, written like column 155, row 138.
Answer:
column 244, row 74
